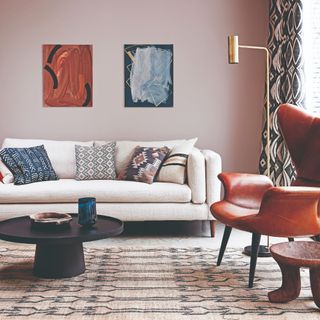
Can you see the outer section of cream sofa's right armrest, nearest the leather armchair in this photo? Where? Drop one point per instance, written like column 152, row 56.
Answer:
column 213, row 168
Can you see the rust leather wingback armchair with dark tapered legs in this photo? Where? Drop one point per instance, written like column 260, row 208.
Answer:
column 252, row 204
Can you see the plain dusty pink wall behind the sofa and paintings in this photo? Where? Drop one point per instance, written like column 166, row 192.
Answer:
column 219, row 103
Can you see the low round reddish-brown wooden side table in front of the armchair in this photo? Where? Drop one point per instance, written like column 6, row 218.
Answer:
column 291, row 256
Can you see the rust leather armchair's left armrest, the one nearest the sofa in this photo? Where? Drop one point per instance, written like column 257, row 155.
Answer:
column 243, row 189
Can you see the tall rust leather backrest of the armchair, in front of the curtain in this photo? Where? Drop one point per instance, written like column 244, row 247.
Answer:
column 301, row 132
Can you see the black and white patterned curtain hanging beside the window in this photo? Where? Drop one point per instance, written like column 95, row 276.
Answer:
column 286, row 82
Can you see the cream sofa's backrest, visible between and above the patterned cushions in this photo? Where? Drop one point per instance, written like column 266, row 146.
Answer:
column 62, row 153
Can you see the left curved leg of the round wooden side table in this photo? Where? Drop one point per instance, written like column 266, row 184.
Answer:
column 291, row 284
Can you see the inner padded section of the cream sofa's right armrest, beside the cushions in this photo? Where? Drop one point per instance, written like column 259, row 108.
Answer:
column 197, row 176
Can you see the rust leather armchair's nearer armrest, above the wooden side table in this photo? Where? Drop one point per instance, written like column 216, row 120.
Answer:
column 287, row 212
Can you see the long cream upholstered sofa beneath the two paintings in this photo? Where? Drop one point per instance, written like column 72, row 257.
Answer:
column 126, row 200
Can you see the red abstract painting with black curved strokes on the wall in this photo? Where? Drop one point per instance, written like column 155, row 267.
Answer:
column 67, row 75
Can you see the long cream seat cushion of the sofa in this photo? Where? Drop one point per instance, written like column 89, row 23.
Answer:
column 70, row 190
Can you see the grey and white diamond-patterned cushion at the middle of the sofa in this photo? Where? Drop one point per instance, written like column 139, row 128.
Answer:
column 96, row 163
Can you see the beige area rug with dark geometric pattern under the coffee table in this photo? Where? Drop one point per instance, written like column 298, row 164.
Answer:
column 128, row 283
